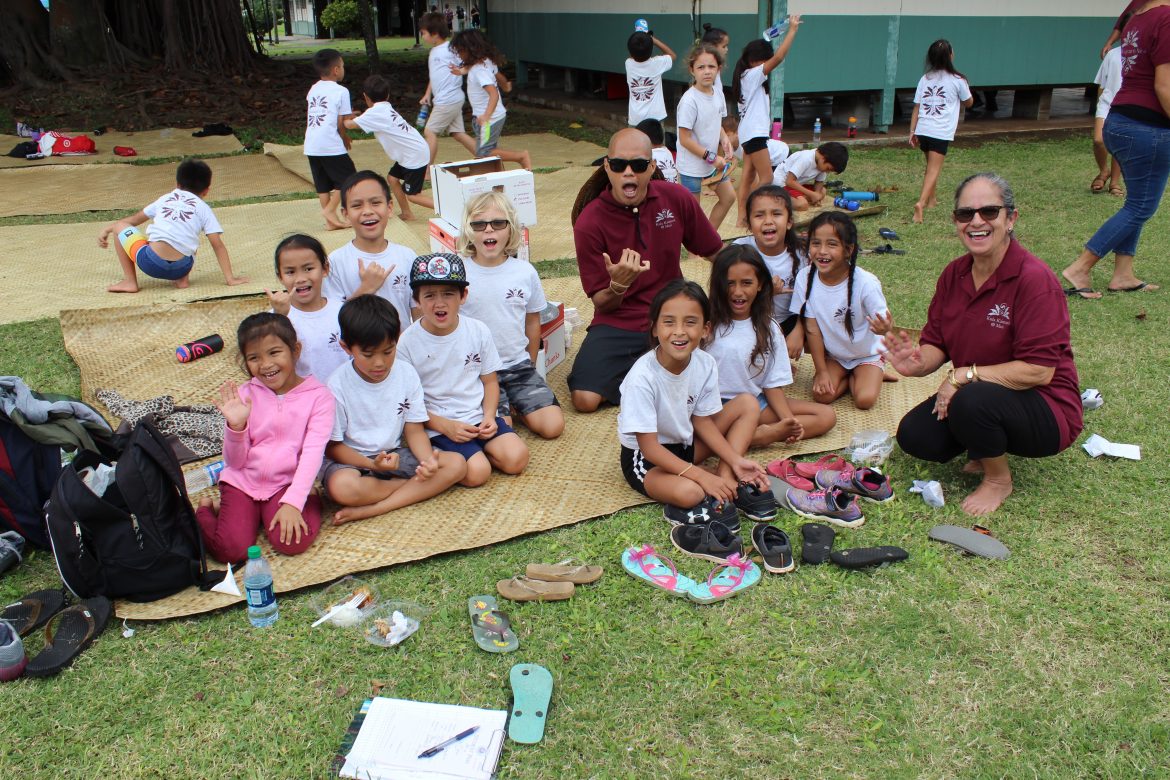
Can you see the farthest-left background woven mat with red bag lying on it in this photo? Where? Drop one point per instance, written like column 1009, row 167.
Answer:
column 169, row 142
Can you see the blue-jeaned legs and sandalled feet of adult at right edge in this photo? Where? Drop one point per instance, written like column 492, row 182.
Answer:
column 1144, row 153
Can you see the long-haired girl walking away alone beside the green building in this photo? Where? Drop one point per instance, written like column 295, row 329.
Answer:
column 939, row 101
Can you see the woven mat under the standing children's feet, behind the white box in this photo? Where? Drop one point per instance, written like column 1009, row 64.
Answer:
column 548, row 151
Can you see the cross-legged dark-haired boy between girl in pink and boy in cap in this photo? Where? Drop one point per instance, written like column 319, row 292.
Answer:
column 380, row 458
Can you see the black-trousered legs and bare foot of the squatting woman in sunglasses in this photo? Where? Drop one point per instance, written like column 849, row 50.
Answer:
column 989, row 422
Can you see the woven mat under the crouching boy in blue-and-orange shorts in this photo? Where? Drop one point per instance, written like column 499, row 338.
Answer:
column 49, row 268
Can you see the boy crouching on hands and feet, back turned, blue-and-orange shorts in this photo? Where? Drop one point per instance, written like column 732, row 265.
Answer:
column 168, row 250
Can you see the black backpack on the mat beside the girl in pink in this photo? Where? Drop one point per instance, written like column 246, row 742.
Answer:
column 140, row 541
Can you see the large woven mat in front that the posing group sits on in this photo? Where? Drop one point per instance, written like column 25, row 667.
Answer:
column 570, row 480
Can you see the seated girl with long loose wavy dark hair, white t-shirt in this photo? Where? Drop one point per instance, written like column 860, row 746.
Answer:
column 748, row 349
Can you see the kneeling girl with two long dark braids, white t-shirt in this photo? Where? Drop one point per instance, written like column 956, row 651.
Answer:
column 839, row 306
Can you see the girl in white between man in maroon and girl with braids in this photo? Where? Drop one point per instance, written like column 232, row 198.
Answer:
column 774, row 236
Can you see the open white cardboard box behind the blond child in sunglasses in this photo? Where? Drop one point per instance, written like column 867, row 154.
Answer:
column 455, row 184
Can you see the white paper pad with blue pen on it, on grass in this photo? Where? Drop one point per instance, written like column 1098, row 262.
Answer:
column 394, row 733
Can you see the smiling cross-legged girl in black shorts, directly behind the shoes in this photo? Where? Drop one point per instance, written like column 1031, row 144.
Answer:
column 672, row 419
